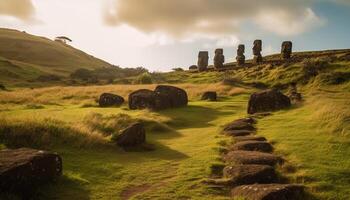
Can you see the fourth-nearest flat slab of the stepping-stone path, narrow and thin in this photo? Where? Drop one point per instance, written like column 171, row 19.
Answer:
column 251, row 145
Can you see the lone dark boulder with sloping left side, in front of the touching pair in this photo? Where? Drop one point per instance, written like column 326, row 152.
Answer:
column 134, row 135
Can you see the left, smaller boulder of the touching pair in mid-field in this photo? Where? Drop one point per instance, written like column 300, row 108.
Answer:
column 142, row 99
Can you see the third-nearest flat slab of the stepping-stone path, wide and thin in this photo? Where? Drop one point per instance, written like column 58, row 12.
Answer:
column 252, row 157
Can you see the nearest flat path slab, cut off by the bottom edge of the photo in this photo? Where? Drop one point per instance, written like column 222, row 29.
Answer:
column 269, row 192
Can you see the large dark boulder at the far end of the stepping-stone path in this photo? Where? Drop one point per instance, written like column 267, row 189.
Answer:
column 268, row 100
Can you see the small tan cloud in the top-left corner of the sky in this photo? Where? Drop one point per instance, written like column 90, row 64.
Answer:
column 20, row 9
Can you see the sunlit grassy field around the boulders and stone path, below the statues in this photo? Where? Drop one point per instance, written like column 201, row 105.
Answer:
column 313, row 135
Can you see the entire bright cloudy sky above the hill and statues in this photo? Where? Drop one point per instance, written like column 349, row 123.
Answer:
column 163, row 34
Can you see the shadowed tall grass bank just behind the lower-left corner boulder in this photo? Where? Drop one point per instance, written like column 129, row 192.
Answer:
column 47, row 133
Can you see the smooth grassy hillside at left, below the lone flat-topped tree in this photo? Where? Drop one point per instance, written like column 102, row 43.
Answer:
column 24, row 57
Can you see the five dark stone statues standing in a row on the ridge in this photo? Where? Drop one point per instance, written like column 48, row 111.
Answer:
column 219, row 58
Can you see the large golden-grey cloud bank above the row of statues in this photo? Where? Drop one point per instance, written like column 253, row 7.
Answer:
column 211, row 17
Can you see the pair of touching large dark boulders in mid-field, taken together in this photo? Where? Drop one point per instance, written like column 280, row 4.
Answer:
column 162, row 97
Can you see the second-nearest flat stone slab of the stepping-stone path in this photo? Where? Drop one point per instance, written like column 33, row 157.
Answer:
column 250, row 174
